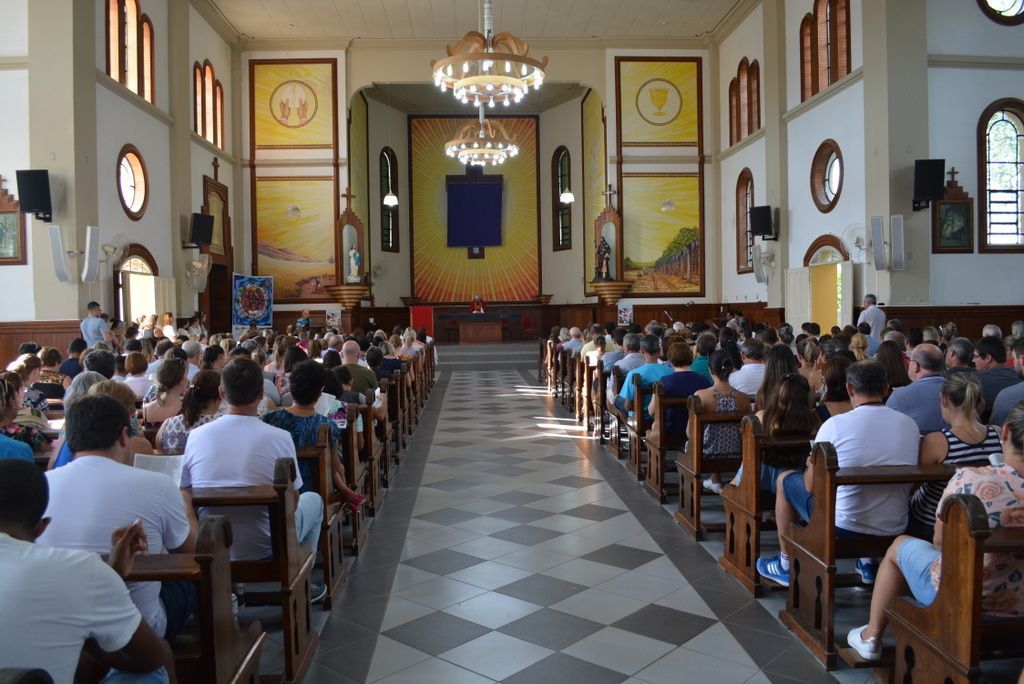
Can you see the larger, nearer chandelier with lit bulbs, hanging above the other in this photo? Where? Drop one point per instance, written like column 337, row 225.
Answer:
column 487, row 69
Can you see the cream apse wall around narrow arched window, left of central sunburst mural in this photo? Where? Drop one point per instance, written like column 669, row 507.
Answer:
column 389, row 126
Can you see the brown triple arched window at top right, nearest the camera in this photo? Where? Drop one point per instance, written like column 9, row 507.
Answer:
column 825, row 47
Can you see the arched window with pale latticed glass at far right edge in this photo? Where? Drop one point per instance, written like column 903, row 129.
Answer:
column 1001, row 178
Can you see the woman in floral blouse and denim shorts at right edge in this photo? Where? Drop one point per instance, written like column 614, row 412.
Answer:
column 917, row 565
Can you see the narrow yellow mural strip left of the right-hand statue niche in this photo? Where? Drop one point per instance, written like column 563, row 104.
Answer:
column 595, row 177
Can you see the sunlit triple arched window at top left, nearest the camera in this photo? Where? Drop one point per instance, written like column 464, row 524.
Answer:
column 131, row 48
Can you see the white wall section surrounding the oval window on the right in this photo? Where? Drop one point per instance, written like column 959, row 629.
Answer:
column 840, row 118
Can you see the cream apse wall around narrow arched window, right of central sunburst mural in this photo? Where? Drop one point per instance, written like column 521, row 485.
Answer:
column 563, row 272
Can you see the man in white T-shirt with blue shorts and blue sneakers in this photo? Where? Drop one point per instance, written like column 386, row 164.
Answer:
column 872, row 435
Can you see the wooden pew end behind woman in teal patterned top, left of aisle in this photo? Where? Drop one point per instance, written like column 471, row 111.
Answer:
column 332, row 539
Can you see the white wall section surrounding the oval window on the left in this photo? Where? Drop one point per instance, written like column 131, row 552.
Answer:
column 118, row 124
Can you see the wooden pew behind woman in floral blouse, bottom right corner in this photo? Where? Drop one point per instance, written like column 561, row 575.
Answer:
column 948, row 640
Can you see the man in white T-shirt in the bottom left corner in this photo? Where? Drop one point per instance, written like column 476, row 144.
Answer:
column 54, row 601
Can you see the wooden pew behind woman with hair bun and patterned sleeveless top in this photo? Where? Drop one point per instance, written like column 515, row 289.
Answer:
column 692, row 465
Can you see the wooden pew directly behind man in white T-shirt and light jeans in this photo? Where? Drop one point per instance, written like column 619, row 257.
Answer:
column 289, row 567
